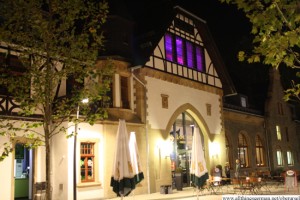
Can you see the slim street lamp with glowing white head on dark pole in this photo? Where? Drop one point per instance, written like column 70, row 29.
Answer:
column 75, row 147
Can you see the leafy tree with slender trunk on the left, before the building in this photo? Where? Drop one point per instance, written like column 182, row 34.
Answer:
column 55, row 41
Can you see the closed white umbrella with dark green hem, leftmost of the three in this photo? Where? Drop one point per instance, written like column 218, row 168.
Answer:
column 122, row 179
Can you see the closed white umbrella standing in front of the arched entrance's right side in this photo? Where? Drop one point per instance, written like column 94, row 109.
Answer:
column 199, row 173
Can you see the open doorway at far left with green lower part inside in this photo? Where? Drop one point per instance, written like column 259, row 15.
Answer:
column 23, row 172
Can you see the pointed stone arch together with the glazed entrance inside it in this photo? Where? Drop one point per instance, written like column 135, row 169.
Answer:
column 180, row 130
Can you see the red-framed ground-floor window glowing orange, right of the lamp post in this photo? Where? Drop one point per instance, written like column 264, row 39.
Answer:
column 87, row 157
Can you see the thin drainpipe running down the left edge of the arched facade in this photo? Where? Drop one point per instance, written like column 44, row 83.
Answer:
column 146, row 127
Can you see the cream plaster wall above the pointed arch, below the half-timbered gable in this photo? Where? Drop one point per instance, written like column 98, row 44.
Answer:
column 179, row 95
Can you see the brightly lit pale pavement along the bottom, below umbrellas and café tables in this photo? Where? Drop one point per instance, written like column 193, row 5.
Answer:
column 191, row 193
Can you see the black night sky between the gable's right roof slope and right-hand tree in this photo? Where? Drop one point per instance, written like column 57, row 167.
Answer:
column 231, row 31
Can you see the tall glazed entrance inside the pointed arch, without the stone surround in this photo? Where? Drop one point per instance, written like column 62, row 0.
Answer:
column 181, row 136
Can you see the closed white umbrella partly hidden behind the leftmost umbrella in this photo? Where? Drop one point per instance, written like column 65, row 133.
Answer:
column 135, row 159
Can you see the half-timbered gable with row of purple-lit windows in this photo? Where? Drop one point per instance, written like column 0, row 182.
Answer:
column 181, row 52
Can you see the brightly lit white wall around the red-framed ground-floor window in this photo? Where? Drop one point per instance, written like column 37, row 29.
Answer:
column 64, row 154
